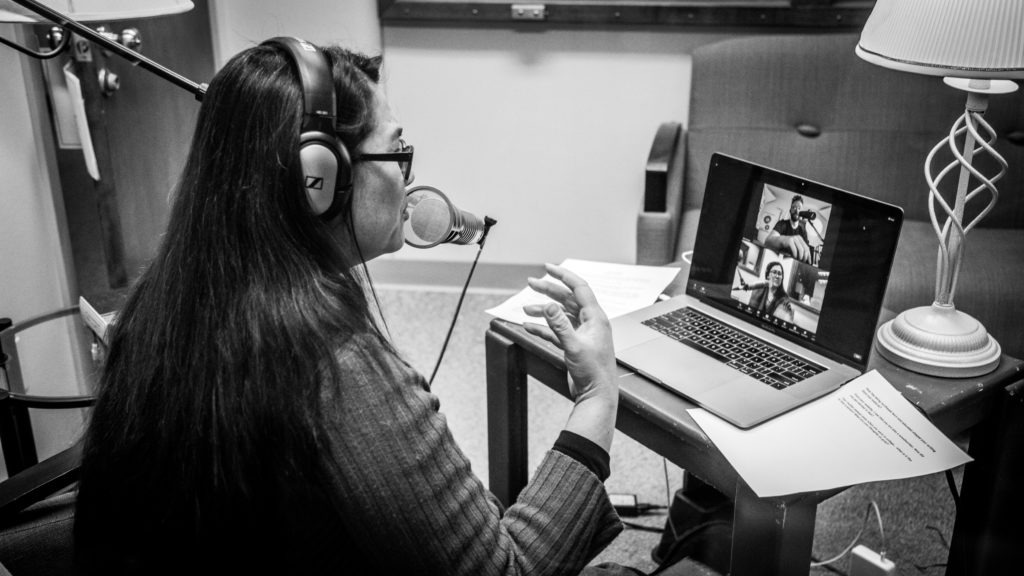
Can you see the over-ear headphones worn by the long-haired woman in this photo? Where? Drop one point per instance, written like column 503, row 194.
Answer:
column 327, row 167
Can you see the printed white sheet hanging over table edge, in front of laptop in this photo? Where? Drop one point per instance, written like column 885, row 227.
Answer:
column 865, row 432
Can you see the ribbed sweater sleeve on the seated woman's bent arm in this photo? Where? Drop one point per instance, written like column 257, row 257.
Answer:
column 412, row 503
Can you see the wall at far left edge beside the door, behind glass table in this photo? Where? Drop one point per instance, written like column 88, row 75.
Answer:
column 33, row 246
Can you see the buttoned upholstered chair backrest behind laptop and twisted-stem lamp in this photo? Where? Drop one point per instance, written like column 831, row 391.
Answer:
column 806, row 104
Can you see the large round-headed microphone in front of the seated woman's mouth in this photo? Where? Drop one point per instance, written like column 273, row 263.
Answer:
column 433, row 220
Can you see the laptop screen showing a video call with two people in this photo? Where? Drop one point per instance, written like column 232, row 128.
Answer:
column 802, row 260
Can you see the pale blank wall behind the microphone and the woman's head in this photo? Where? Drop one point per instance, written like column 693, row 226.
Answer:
column 545, row 131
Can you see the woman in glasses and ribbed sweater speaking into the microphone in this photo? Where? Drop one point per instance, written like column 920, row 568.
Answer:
column 253, row 418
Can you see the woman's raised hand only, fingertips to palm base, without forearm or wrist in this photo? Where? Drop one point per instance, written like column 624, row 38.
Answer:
column 578, row 326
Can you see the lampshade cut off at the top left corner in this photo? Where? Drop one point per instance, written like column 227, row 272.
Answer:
column 94, row 11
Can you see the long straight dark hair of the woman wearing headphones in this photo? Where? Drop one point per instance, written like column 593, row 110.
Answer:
column 207, row 441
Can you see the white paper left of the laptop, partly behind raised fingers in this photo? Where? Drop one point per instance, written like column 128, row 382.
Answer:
column 619, row 289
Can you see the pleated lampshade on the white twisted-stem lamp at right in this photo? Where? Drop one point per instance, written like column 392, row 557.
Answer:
column 978, row 39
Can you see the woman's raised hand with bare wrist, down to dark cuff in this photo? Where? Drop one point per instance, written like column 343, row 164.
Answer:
column 577, row 324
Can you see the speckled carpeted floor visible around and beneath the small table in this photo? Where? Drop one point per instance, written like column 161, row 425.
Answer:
column 917, row 514
